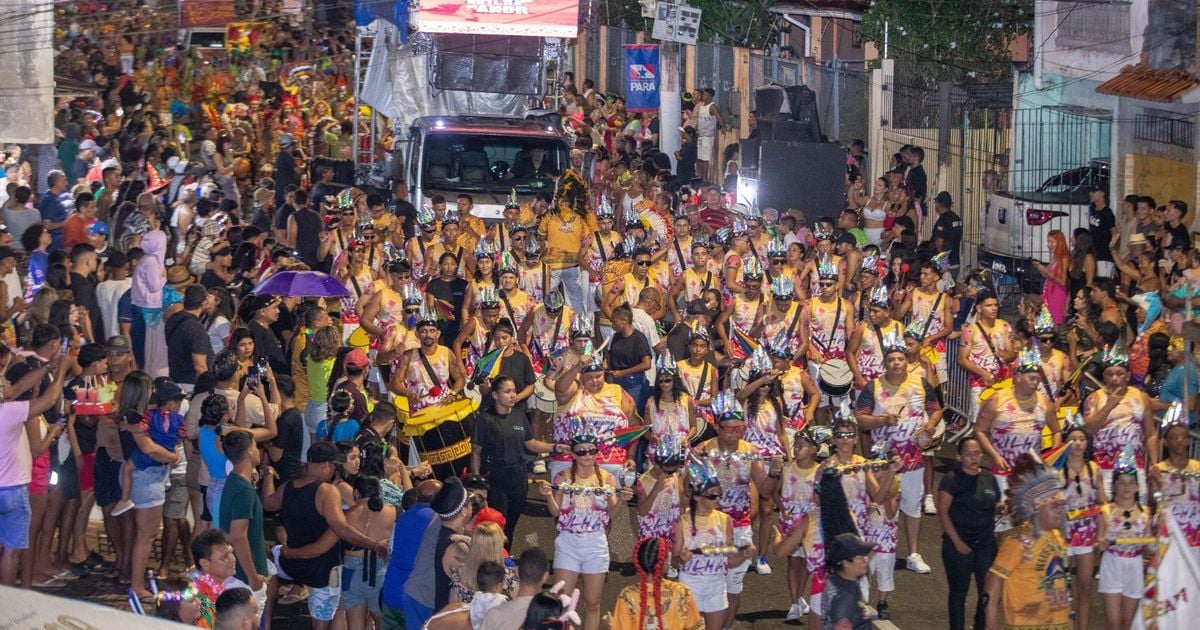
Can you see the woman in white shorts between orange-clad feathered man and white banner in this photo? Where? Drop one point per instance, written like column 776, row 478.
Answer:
column 1123, row 580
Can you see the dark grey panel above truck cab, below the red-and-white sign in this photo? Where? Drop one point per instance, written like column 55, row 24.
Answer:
column 489, row 64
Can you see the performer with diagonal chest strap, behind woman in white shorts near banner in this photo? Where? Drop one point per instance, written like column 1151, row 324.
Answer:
column 1118, row 416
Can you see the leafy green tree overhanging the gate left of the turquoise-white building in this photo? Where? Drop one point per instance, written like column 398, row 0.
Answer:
column 952, row 40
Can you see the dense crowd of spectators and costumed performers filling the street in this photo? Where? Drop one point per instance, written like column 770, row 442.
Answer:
column 757, row 386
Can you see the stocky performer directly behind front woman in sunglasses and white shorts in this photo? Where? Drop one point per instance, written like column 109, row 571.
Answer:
column 581, row 392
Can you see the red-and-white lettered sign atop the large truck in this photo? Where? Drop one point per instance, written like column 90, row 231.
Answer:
column 535, row 19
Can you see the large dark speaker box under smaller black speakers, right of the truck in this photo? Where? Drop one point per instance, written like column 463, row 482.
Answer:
column 807, row 176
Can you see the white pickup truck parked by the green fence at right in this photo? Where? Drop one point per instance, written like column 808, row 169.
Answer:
column 1016, row 225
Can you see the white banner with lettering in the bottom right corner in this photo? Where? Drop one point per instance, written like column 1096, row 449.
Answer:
column 1172, row 601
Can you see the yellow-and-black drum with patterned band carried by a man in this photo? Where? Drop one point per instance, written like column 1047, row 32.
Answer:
column 442, row 439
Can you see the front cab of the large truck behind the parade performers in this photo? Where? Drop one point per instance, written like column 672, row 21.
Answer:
column 484, row 157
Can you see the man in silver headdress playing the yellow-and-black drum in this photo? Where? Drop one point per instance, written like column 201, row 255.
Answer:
column 430, row 374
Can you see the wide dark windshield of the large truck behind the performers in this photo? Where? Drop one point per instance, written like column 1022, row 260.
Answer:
column 490, row 163
